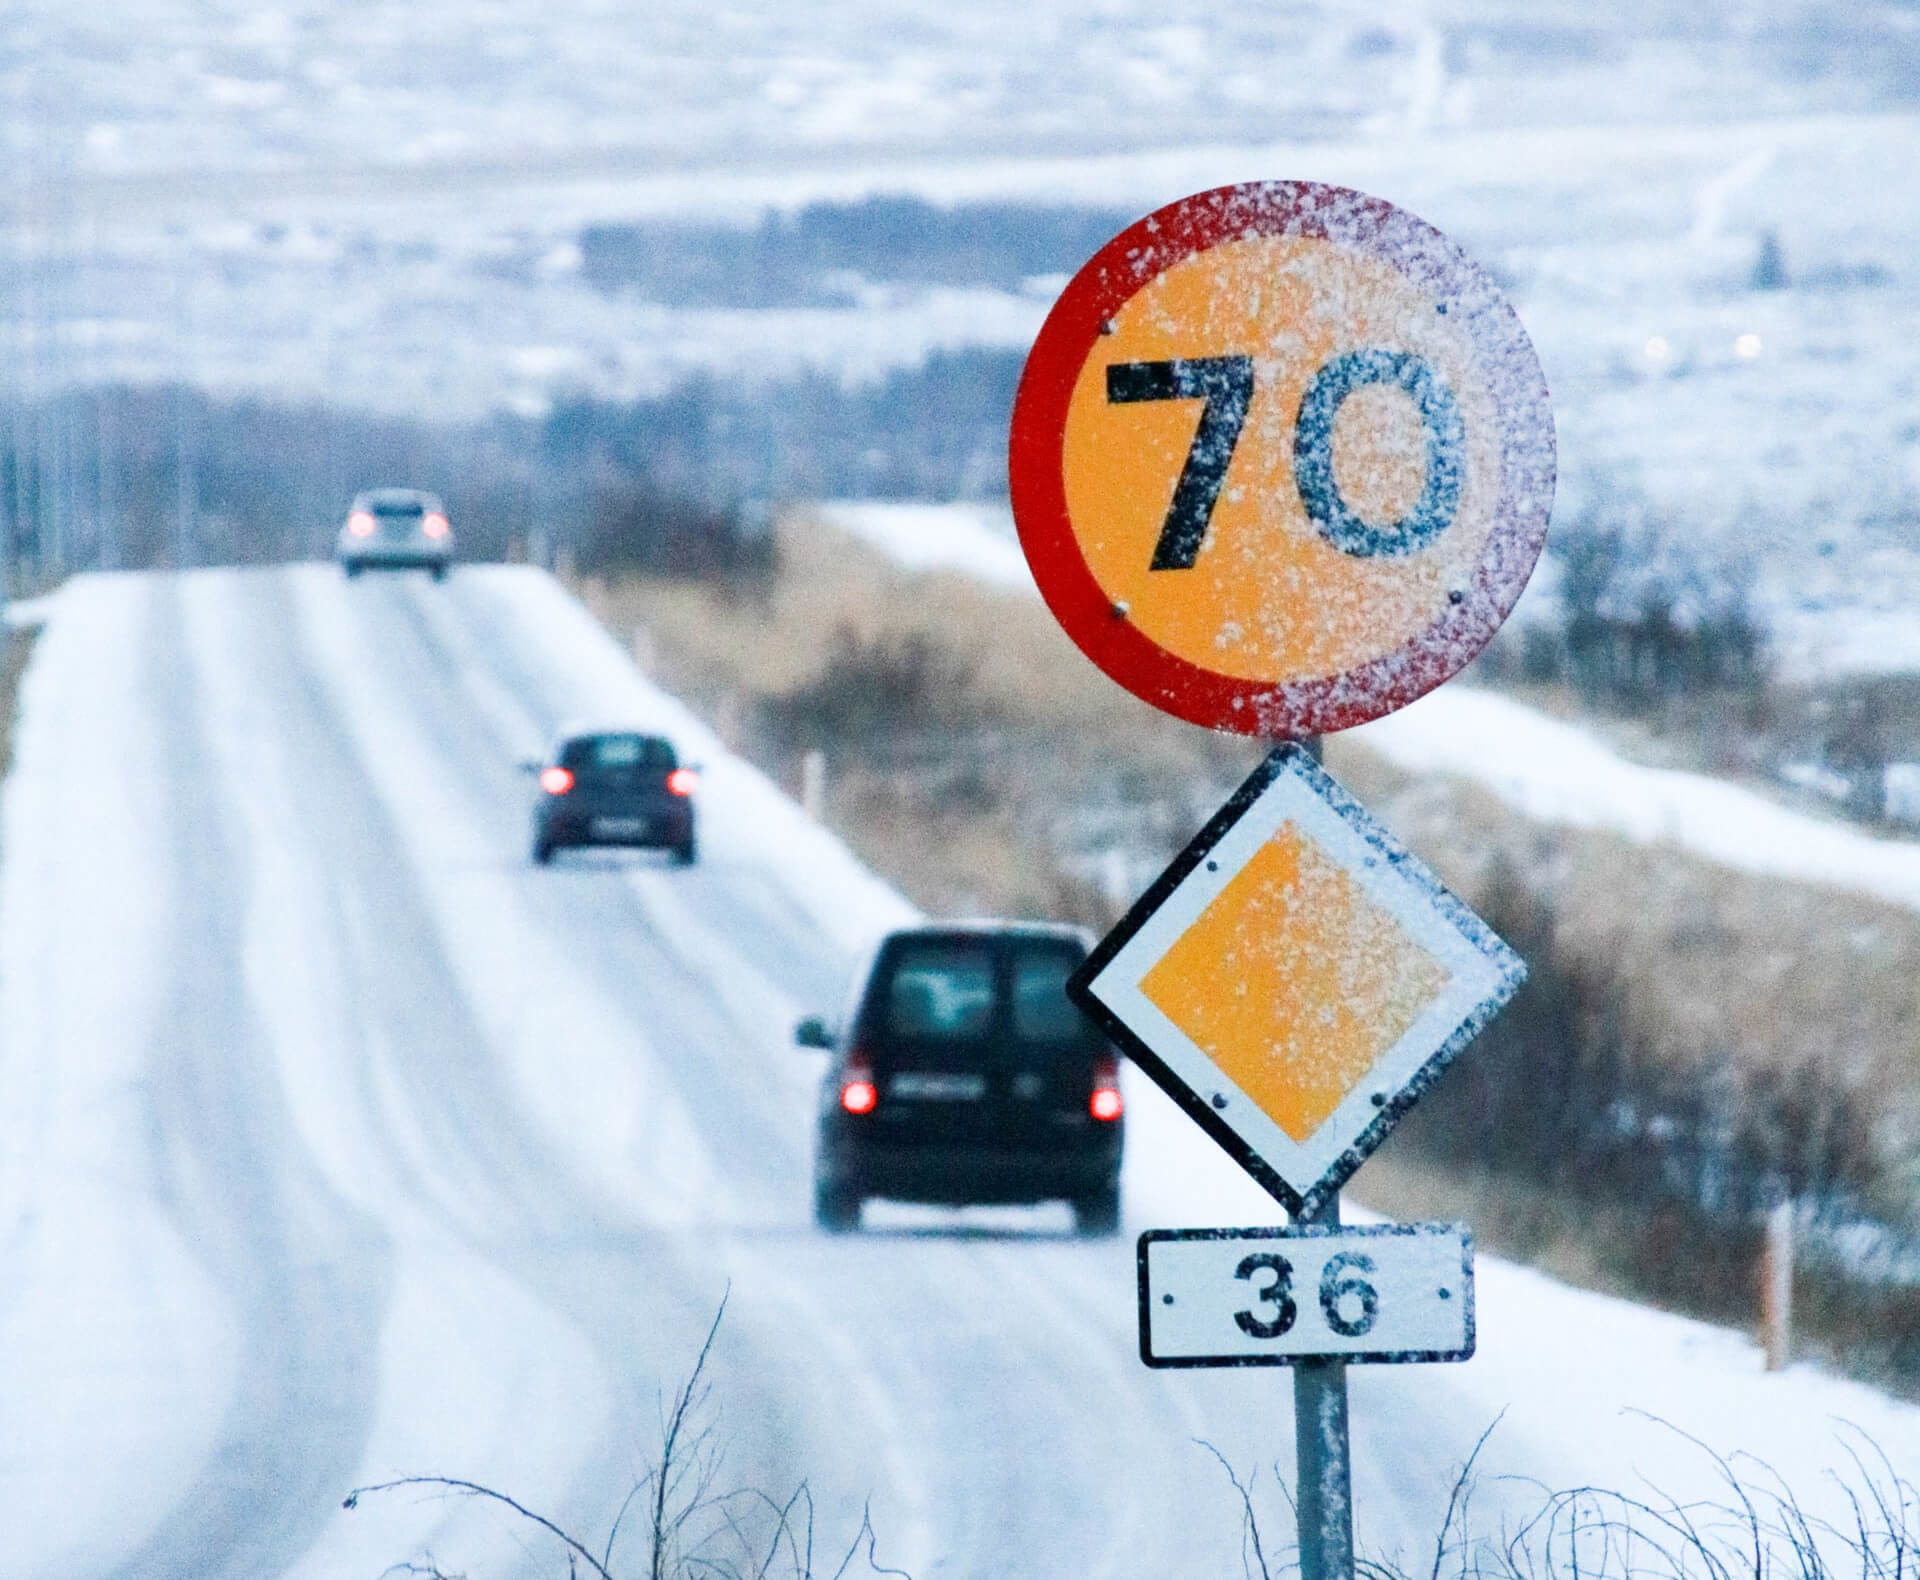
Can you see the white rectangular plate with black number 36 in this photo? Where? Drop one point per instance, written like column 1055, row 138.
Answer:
column 1278, row 1297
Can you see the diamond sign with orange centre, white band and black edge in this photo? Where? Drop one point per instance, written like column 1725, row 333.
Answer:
column 1297, row 980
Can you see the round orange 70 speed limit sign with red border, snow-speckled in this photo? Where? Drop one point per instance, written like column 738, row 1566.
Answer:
column 1282, row 458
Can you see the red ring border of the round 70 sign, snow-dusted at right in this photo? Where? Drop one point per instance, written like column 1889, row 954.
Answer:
column 1105, row 285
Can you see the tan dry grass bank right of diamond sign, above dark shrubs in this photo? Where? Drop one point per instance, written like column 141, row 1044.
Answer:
column 1717, row 970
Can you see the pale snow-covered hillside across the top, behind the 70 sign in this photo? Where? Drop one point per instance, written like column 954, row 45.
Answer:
column 381, row 204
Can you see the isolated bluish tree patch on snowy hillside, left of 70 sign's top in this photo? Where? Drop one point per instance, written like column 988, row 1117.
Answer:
column 828, row 251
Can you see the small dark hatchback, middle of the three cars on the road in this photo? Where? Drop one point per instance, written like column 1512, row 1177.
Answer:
column 613, row 788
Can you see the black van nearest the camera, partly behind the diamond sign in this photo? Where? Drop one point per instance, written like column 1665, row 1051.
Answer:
column 965, row 1074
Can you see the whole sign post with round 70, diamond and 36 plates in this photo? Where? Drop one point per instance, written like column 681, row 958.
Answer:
column 1282, row 464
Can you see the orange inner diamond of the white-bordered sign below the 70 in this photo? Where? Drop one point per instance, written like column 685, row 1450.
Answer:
column 1295, row 982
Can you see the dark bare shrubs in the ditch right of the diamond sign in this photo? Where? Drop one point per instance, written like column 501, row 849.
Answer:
column 1570, row 1091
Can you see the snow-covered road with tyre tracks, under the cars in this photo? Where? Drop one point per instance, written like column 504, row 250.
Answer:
column 339, row 1143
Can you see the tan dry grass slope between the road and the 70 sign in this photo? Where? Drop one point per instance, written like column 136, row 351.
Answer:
column 986, row 809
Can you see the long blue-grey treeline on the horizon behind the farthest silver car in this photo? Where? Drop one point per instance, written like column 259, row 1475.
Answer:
column 684, row 483
